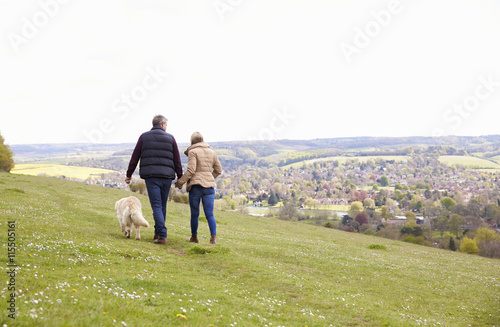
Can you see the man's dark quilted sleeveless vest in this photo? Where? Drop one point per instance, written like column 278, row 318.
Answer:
column 157, row 154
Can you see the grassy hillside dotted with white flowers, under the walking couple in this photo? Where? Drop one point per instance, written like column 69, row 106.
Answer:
column 75, row 268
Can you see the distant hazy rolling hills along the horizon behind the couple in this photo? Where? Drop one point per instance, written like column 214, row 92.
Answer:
column 277, row 152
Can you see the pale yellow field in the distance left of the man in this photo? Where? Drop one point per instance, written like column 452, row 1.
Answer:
column 58, row 170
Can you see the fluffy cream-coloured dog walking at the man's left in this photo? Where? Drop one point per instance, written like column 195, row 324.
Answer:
column 129, row 213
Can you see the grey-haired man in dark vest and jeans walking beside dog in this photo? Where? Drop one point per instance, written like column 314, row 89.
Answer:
column 160, row 162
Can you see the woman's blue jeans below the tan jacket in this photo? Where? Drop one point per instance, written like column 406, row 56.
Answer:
column 207, row 197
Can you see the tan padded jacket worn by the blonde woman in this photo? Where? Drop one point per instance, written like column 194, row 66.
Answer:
column 203, row 166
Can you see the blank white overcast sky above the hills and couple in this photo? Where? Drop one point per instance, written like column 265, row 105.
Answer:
column 248, row 69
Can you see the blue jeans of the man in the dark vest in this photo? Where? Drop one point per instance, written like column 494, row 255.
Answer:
column 158, row 189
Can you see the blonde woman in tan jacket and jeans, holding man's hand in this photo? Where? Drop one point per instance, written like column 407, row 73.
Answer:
column 203, row 168
